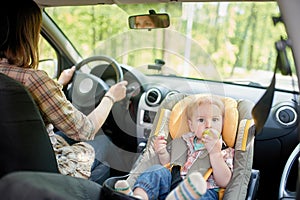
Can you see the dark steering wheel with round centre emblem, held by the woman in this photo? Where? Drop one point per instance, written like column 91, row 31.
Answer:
column 87, row 90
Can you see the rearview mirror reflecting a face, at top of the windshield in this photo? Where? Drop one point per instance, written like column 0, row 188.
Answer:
column 149, row 21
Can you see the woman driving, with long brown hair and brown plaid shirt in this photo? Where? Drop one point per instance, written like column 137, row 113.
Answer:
column 19, row 36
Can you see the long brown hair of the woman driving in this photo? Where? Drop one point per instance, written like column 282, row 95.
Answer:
column 21, row 34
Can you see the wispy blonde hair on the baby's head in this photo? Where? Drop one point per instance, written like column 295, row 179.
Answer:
column 210, row 99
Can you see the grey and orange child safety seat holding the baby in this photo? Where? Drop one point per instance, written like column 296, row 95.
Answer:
column 238, row 133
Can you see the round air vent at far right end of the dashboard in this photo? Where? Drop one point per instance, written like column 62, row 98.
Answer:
column 286, row 116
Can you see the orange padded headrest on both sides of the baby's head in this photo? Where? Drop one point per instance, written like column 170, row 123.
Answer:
column 178, row 123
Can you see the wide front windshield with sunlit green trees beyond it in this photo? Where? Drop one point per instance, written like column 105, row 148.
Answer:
column 232, row 42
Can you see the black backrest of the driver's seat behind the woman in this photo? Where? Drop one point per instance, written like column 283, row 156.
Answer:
column 25, row 144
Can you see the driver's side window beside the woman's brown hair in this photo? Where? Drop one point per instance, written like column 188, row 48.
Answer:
column 48, row 58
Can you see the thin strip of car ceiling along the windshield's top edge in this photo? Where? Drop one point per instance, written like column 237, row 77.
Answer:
column 49, row 3
